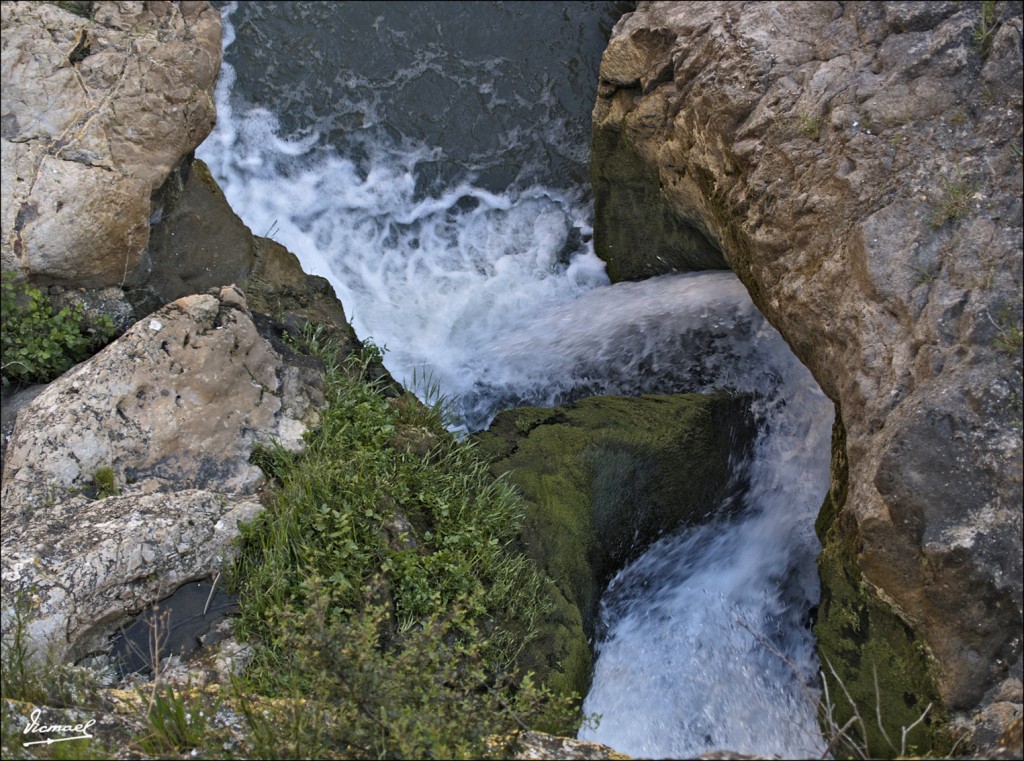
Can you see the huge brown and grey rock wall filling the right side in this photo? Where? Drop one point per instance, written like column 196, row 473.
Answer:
column 859, row 165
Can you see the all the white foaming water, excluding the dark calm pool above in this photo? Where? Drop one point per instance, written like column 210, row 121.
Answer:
column 498, row 300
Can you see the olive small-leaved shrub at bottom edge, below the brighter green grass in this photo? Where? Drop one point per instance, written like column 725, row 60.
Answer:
column 367, row 692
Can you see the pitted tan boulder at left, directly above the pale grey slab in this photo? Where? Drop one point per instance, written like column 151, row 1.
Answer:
column 179, row 402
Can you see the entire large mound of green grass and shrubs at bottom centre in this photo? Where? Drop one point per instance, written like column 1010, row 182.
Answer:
column 380, row 583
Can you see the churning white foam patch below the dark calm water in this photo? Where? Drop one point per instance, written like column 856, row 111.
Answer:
column 431, row 277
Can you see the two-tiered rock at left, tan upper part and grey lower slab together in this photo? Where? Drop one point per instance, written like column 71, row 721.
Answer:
column 172, row 412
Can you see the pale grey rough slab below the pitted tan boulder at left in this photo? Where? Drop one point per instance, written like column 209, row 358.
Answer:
column 84, row 566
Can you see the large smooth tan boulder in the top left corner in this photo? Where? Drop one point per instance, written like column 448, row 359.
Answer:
column 97, row 114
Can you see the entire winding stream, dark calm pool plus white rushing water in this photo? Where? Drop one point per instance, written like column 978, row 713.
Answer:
column 431, row 160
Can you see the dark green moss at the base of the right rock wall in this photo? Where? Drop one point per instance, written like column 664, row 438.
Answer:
column 879, row 661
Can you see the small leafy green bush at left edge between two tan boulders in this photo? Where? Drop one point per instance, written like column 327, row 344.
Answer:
column 39, row 344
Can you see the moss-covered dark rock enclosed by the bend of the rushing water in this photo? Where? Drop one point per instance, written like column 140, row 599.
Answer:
column 604, row 480
